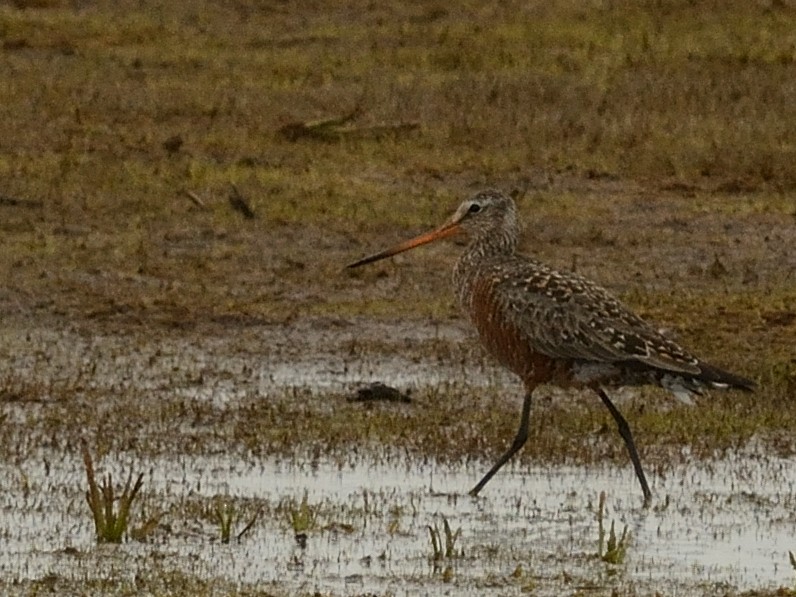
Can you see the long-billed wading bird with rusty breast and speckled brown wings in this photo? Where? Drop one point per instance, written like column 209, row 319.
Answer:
column 549, row 326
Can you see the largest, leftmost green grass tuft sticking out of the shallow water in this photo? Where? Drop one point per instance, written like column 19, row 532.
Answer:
column 110, row 524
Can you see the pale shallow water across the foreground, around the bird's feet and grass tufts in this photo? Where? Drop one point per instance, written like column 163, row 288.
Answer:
column 729, row 522
